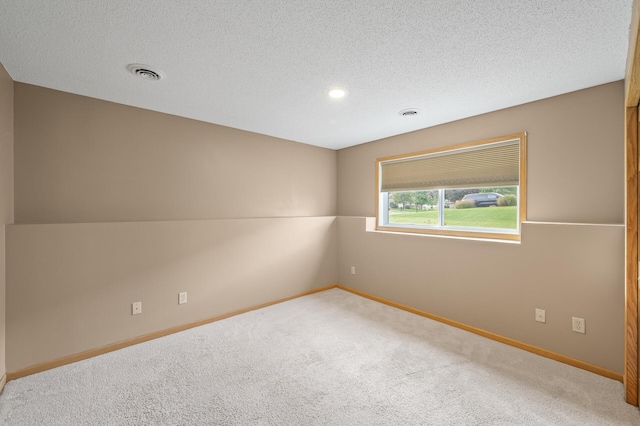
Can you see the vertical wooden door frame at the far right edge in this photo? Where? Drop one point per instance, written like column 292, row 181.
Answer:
column 632, row 97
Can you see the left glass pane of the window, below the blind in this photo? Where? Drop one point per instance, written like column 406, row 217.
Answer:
column 414, row 208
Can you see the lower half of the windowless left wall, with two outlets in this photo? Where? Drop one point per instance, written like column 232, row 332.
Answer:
column 71, row 285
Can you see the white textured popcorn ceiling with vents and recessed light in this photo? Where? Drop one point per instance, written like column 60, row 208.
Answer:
column 266, row 66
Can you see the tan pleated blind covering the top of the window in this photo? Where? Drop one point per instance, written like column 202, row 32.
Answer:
column 494, row 164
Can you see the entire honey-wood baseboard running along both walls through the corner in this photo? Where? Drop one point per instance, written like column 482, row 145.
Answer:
column 12, row 375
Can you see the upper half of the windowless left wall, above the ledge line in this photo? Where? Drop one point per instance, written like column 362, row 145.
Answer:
column 79, row 159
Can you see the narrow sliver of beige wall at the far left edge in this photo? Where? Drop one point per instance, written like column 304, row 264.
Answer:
column 6, row 190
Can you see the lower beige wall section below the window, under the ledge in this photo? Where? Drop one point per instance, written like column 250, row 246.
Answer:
column 568, row 270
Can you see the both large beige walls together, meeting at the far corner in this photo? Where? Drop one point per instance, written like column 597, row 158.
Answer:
column 137, row 205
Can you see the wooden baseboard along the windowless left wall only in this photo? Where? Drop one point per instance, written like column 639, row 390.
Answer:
column 90, row 353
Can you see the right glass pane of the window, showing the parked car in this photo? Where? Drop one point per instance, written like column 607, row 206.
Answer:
column 482, row 207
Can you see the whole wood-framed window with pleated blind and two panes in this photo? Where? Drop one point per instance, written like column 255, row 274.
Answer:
column 474, row 190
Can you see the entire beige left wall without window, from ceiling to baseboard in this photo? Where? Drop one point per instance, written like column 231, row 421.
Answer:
column 116, row 204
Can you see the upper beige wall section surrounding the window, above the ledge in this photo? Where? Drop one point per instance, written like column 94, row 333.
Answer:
column 575, row 150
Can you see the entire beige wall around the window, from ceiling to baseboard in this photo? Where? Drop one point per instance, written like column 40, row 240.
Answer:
column 575, row 175
